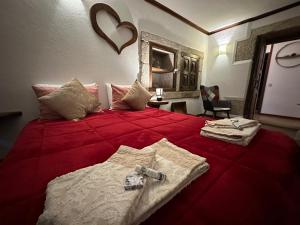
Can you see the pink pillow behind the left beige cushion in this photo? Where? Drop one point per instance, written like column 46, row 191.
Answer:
column 45, row 89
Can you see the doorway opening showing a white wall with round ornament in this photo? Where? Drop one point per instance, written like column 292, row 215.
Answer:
column 280, row 92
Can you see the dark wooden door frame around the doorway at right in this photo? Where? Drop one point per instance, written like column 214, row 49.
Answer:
column 262, row 41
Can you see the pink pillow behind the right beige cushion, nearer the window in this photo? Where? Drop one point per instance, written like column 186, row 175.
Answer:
column 118, row 92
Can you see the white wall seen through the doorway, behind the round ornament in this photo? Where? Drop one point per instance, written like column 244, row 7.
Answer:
column 282, row 92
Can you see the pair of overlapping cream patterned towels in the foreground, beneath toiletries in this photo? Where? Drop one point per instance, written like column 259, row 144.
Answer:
column 95, row 195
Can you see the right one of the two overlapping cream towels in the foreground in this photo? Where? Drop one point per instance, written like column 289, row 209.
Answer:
column 181, row 168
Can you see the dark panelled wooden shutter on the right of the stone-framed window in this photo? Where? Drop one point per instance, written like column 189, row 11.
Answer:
column 189, row 68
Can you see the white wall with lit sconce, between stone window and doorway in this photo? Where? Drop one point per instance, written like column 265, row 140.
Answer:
column 232, row 77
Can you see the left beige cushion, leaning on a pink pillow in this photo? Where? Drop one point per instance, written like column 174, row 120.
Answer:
column 71, row 101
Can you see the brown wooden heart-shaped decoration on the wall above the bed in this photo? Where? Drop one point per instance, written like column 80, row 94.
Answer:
column 125, row 24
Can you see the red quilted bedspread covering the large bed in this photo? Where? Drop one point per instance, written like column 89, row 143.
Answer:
column 255, row 185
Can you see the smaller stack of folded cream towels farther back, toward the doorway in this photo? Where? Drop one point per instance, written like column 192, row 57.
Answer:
column 237, row 131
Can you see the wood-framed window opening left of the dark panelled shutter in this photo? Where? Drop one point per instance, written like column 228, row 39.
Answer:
column 163, row 69
